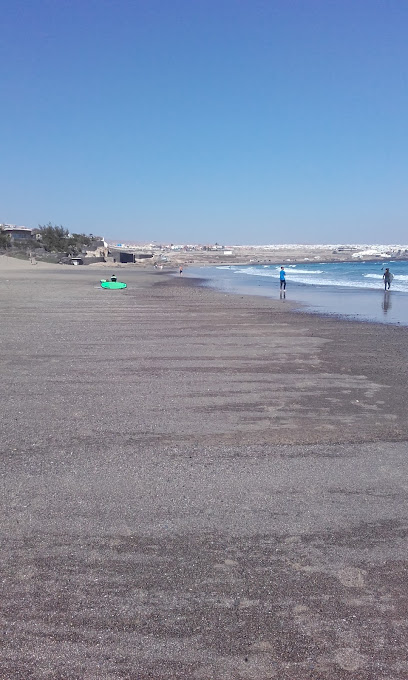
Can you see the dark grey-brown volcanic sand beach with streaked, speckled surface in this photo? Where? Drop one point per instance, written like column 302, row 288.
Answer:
column 198, row 486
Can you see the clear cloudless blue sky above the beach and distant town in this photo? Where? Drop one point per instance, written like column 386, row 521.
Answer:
column 237, row 121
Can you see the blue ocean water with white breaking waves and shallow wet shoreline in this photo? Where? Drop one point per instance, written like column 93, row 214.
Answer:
column 351, row 289
